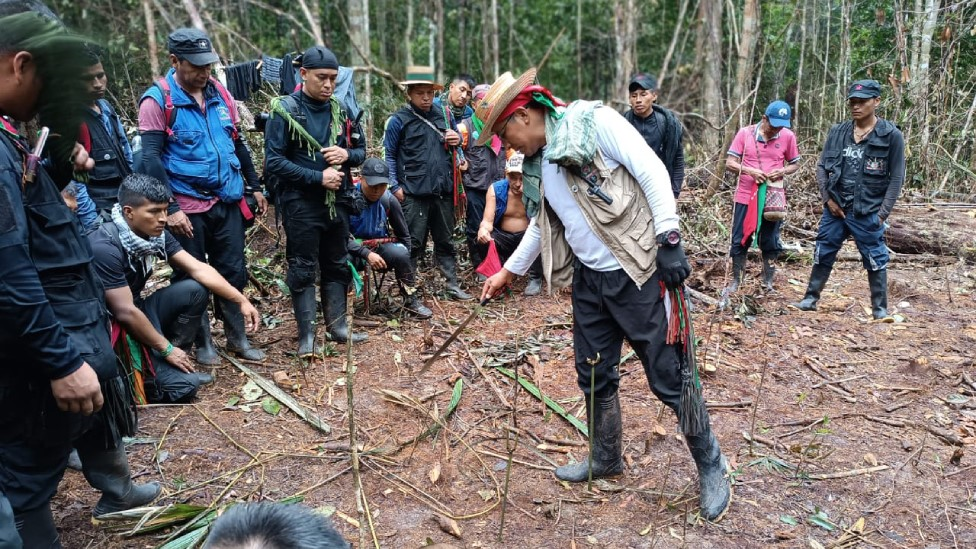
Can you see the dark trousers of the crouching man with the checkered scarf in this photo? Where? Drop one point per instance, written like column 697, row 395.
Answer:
column 175, row 312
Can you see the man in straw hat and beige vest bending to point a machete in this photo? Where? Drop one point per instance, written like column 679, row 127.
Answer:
column 604, row 221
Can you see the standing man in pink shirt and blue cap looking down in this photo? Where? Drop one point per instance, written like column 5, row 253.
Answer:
column 760, row 153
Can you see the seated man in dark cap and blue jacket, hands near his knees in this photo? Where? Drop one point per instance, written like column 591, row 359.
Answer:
column 371, row 224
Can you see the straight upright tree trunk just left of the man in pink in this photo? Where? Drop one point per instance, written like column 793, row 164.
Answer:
column 710, row 16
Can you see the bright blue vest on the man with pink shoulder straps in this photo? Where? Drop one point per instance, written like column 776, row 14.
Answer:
column 199, row 155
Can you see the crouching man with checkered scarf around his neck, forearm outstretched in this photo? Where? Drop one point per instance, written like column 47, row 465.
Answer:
column 166, row 321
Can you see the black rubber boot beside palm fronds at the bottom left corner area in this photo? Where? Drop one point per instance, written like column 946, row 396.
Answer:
column 108, row 472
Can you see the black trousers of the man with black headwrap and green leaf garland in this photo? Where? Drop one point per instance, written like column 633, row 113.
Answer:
column 314, row 239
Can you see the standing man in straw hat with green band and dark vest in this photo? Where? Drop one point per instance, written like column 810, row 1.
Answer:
column 420, row 144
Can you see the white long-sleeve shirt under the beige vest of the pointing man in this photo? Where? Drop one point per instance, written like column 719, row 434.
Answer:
column 621, row 145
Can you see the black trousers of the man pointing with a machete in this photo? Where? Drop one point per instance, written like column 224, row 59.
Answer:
column 607, row 308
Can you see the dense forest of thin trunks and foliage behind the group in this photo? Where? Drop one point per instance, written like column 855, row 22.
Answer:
column 718, row 62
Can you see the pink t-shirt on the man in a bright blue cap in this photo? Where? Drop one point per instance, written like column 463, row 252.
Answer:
column 755, row 152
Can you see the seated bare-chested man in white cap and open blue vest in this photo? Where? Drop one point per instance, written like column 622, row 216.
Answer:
column 505, row 220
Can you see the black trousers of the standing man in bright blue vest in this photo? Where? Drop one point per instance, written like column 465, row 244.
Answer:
column 218, row 239
